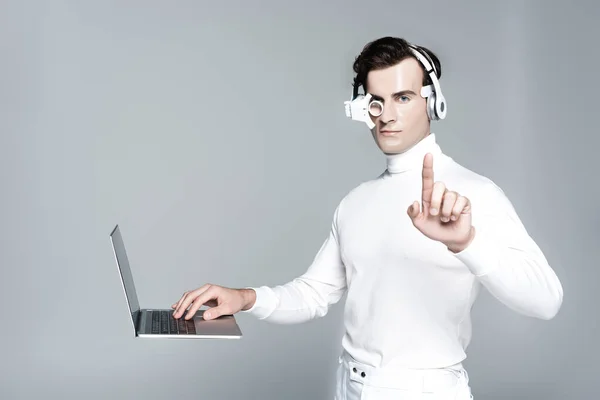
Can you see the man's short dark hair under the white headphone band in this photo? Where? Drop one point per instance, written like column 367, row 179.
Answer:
column 387, row 52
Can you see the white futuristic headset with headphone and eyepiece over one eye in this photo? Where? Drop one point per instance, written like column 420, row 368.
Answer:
column 360, row 106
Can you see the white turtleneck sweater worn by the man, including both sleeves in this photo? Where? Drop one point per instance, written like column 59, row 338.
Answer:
column 408, row 297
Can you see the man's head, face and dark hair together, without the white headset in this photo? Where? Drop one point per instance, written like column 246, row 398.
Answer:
column 389, row 71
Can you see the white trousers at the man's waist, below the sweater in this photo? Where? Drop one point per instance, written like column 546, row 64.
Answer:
column 356, row 381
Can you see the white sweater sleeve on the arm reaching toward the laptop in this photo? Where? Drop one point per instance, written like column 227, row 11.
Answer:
column 310, row 295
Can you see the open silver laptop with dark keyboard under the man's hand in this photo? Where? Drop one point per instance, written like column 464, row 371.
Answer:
column 159, row 323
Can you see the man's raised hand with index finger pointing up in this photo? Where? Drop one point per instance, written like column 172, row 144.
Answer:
column 445, row 215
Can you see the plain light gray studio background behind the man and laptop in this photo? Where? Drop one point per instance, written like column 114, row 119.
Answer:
column 215, row 135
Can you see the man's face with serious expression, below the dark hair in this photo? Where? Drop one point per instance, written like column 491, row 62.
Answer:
column 404, row 121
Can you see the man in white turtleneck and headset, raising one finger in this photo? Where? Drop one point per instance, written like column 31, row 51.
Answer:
column 411, row 270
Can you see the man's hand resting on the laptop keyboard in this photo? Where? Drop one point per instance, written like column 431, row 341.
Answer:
column 224, row 301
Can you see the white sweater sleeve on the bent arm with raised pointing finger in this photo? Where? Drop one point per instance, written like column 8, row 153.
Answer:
column 508, row 262
